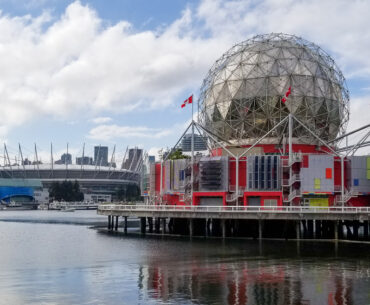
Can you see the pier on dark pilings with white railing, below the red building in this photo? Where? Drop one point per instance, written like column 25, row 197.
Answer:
column 289, row 222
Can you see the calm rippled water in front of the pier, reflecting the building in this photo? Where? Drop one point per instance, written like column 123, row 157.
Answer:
column 45, row 258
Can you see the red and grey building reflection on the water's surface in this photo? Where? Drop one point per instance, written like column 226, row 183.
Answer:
column 246, row 283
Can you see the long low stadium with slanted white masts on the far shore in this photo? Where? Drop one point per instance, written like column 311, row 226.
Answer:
column 25, row 182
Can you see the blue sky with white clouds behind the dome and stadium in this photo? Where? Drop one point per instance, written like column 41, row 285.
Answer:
column 116, row 72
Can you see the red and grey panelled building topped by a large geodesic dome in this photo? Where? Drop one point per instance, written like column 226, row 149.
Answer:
column 274, row 110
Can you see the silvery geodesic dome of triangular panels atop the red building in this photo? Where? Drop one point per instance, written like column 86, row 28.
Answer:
column 241, row 97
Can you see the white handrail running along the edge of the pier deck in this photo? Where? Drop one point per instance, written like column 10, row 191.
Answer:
column 243, row 209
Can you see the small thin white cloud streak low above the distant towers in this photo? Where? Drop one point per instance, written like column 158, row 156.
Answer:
column 107, row 132
